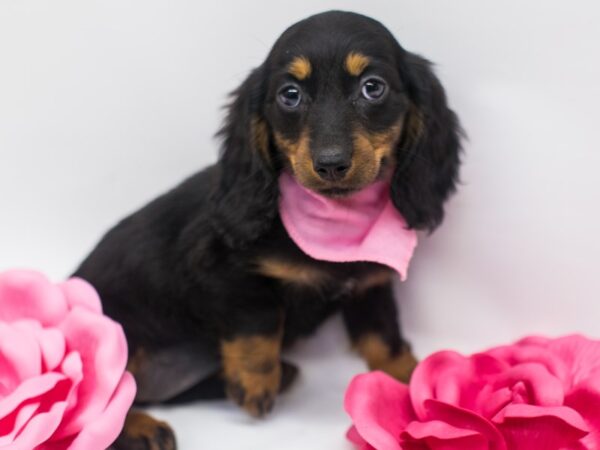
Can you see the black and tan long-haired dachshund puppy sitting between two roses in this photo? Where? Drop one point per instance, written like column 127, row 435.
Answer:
column 207, row 275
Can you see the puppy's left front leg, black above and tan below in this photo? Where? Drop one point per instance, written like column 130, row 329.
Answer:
column 252, row 365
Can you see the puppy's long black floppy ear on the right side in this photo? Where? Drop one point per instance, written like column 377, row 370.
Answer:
column 428, row 154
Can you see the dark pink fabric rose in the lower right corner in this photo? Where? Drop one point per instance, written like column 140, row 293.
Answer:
column 536, row 394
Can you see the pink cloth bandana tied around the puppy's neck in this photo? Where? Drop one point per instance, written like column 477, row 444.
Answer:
column 362, row 227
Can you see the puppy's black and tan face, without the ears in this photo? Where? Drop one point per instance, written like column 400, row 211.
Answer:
column 335, row 102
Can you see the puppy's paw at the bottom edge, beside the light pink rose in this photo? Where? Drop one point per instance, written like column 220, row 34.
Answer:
column 142, row 432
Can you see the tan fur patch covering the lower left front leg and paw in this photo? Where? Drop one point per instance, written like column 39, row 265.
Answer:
column 252, row 364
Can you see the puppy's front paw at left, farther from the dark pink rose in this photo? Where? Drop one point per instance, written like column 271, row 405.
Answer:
column 255, row 391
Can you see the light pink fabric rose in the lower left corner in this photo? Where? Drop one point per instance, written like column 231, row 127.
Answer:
column 63, row 383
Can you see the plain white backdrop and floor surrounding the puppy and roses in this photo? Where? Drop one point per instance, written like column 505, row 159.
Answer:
column 105, row 104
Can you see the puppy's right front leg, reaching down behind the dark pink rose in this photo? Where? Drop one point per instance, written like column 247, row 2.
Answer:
column 372, row 322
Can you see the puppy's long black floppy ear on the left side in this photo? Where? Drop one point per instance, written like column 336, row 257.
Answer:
column 244, row 200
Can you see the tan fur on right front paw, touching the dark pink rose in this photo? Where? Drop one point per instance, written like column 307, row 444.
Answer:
column 377, row 355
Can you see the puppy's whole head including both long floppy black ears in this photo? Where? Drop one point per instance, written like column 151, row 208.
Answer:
column 340, row 105
